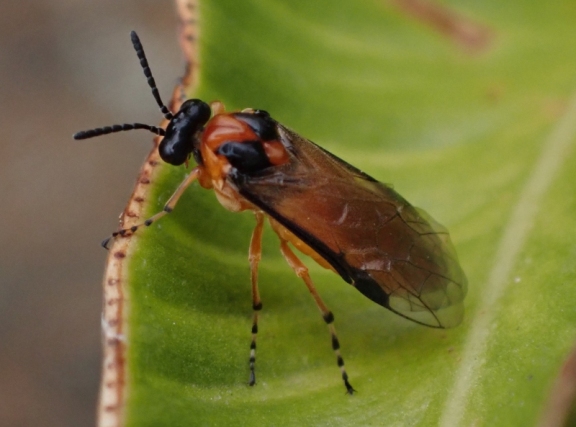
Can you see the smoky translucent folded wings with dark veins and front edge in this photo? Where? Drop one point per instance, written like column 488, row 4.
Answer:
column 392, row 252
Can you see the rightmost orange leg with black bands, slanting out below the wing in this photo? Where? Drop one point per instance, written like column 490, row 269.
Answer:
column 302, row 271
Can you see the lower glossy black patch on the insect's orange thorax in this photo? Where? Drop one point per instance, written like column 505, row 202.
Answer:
column 248, row 156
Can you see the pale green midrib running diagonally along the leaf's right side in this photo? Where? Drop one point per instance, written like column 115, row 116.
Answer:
column 555, row 150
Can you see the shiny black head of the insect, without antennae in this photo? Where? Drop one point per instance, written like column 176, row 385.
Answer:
column 180, row 139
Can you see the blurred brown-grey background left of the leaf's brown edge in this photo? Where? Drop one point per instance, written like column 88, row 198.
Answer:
column 65, row 66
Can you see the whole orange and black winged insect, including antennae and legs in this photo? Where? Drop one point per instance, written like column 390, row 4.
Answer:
column 393, row 253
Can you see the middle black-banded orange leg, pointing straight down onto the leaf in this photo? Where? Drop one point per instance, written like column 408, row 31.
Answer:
column 255, row 255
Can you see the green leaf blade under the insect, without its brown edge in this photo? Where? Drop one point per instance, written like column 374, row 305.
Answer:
column 482, row 140
